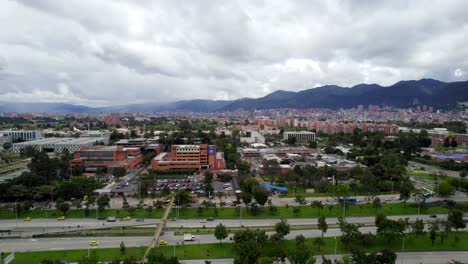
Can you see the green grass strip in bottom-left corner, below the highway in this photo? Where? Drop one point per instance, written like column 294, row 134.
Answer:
column 76, row 255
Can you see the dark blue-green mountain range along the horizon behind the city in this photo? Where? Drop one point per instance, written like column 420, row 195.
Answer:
column 441, row 95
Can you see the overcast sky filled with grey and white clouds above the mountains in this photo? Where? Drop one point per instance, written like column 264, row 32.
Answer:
column 118, row 52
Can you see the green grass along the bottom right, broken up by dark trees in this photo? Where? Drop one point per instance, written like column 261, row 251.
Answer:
column 226, row 250
